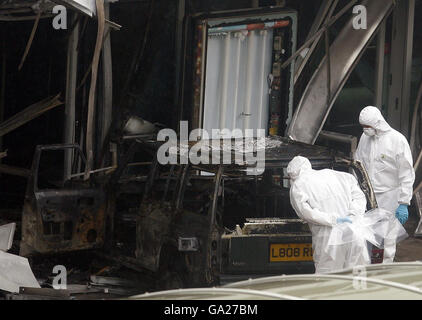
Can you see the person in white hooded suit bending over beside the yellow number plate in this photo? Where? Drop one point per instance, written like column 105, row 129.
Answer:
column 326, row 198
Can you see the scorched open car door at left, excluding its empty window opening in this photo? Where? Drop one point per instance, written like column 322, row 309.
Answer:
column 69, row 218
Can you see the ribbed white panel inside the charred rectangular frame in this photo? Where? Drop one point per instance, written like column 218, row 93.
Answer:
column 236, row 85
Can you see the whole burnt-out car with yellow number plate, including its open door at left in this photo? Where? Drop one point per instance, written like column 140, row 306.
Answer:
column 202, row 224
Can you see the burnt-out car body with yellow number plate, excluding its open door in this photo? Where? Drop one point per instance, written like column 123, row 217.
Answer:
column 209, row 224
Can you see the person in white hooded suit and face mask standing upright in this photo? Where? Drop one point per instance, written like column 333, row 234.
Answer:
column 387, row 158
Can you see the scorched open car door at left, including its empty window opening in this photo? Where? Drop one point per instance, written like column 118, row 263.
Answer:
column 62, row 212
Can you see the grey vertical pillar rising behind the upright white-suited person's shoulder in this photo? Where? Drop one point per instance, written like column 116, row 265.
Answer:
column 400, row 66
